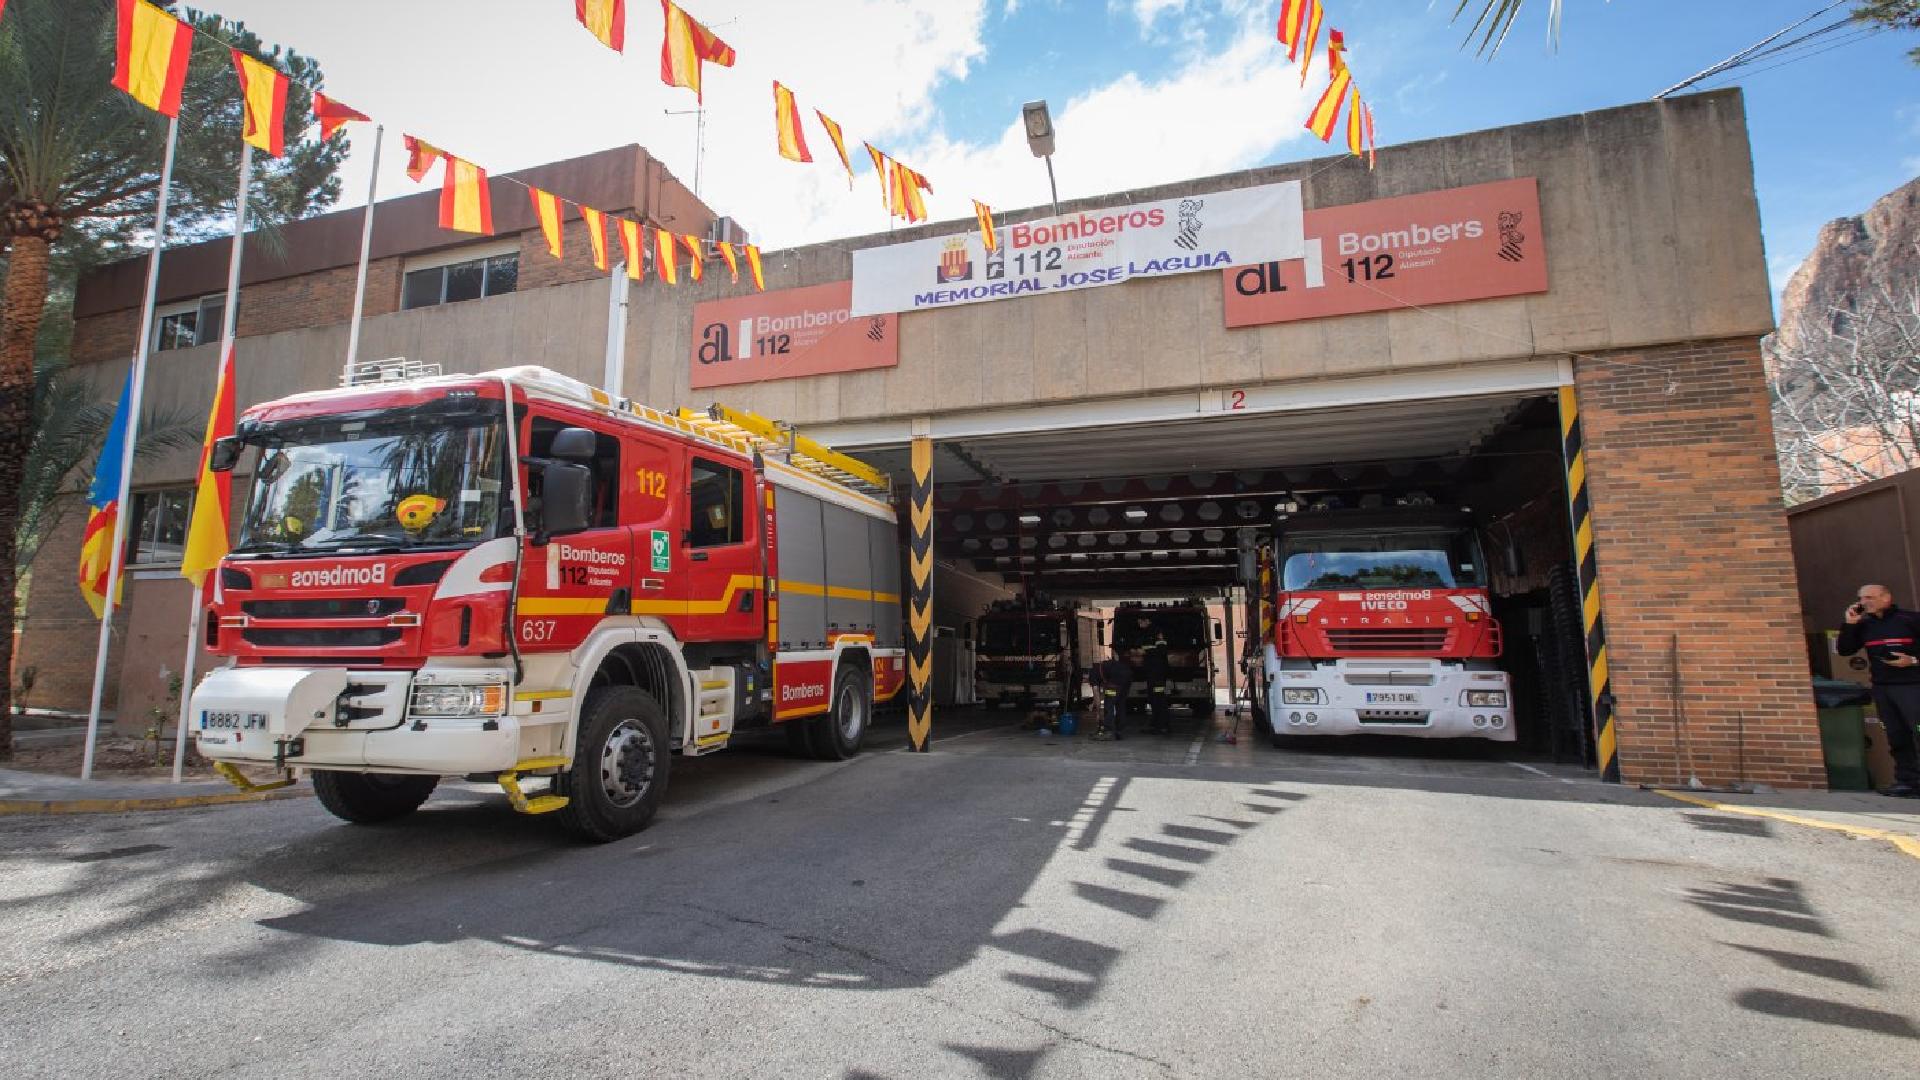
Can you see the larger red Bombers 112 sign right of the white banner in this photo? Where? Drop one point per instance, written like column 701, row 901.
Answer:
column 1416, row 251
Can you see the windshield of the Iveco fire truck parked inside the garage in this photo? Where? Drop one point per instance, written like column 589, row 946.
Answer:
column 1397, row 558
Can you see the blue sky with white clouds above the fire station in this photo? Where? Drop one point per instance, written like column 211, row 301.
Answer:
column 1141, row 93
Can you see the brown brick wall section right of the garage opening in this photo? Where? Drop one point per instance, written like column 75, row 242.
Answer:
column 1692, row 541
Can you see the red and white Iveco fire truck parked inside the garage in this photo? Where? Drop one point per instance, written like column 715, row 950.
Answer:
column 1380, row 622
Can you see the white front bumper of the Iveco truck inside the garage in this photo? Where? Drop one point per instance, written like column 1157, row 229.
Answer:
column 1418, row 699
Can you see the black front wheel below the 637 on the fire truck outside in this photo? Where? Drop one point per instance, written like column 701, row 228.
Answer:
column 621, row 766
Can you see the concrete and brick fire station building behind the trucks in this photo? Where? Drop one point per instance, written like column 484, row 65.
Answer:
column 1554, row 326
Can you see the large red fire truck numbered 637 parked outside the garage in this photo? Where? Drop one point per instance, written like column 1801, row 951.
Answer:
column 517, row 576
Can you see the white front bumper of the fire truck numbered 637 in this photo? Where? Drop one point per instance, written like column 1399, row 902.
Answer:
column 379, row 722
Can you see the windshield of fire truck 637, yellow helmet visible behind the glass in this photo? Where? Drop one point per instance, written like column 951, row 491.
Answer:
column 398, row 479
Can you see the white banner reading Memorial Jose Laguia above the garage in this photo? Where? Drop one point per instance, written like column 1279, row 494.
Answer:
column 1082, row 251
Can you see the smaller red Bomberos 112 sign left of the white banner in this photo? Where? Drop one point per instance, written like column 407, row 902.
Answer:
column 786, row 335
